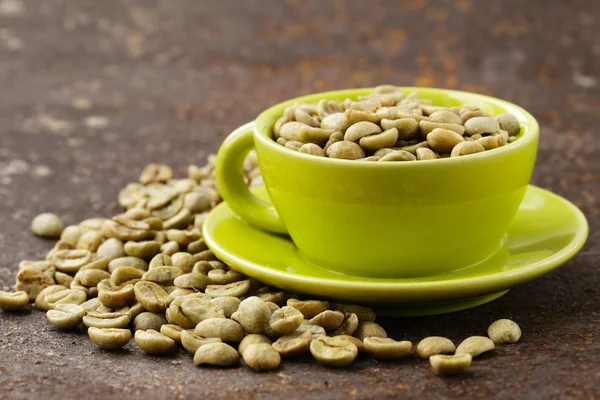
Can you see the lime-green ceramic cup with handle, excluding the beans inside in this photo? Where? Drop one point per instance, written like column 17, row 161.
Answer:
column 396, row 219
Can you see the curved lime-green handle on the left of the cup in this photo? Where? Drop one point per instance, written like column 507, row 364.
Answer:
column 233, row 189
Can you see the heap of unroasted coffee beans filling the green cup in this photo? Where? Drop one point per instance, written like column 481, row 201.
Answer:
column 389, row 126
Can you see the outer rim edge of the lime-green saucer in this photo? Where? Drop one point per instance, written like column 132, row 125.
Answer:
column 478, row 285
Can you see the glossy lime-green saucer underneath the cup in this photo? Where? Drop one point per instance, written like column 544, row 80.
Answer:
column 547, row 231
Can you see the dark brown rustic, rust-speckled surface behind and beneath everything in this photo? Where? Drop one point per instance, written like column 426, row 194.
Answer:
column 93, row 90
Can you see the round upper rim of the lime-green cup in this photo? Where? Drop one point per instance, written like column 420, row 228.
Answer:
column 530, row 134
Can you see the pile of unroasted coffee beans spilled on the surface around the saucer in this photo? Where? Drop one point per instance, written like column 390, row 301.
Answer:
column 148, row 271
